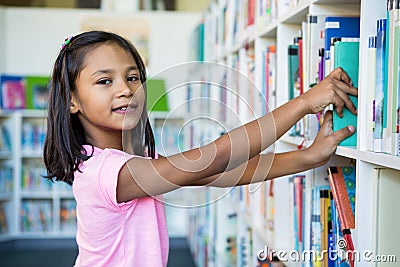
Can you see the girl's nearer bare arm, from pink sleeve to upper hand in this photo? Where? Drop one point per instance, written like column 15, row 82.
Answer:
column 142, row 177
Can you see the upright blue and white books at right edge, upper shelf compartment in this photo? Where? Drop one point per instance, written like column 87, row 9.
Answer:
column 384, row 83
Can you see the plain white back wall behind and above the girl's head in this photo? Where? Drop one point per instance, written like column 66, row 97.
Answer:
column 32, row 49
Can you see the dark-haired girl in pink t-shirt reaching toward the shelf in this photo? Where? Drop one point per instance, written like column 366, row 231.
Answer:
column 97, row 96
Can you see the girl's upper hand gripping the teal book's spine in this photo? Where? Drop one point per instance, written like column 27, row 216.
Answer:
column 334, row 89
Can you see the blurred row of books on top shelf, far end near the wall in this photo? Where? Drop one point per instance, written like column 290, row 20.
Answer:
column 230, row 22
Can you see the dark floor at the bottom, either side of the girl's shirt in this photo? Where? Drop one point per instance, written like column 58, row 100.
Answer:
column 62, row 253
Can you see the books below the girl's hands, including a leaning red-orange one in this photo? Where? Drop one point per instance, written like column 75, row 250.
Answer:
column 332, row 213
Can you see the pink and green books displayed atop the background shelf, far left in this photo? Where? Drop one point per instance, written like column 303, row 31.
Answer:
column 23, row 92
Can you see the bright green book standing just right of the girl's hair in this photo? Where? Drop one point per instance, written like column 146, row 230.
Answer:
column 157, row 99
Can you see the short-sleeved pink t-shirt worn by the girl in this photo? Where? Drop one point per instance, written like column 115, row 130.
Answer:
column 115, row 234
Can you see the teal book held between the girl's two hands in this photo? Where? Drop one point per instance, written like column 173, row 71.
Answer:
column 346, row 57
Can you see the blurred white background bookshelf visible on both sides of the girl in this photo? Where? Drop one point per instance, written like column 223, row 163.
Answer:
column 31, row 206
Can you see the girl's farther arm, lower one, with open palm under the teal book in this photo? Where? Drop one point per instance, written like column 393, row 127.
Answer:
column 267, row 166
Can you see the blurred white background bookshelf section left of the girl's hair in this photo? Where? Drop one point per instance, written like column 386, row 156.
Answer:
column 36, row 208
